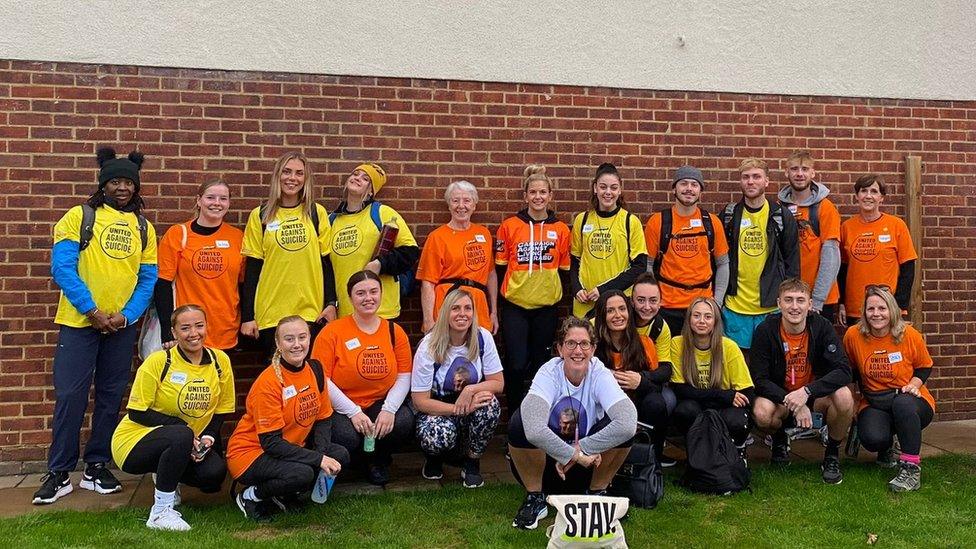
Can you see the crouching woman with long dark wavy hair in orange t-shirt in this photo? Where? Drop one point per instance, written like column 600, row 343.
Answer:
column 633, row 359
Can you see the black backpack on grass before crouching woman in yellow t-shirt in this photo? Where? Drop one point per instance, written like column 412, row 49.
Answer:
column 714, row 465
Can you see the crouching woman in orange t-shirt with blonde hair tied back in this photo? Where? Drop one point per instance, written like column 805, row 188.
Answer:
column 287, row 403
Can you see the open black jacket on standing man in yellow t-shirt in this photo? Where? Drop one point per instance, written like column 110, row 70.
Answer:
column 784, row 253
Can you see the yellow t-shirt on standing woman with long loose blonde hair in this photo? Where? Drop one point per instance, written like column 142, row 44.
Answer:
column 291, row 279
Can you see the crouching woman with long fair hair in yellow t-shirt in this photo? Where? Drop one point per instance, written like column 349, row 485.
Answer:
column 710, row 373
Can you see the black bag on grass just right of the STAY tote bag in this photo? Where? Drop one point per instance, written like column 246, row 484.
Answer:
column 640, row 479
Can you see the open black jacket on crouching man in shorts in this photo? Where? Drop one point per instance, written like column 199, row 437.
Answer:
column 767, row 364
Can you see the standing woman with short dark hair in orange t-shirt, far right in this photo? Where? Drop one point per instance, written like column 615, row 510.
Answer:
column 875, row 248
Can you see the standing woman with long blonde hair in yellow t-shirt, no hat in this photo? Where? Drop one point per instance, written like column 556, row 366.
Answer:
column 286, row 241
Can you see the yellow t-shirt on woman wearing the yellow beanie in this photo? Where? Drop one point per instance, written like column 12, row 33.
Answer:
column 354, row 238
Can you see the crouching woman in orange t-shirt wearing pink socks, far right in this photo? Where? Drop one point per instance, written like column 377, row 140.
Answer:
column 891, row 364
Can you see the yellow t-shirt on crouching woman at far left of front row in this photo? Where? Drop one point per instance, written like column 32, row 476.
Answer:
column 190, row 392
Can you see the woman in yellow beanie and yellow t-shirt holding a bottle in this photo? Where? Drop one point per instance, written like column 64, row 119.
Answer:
column 357, row 226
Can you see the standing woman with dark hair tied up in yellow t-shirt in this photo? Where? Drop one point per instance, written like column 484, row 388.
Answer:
column 608, row 249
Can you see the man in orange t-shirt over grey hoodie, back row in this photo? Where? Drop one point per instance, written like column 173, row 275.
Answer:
column 819, row 234
